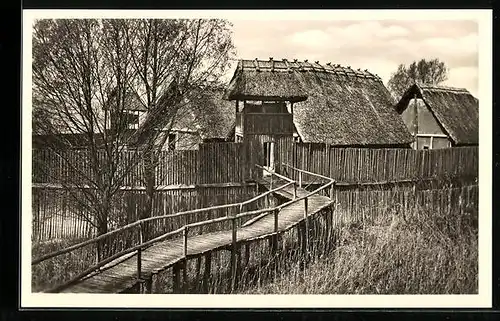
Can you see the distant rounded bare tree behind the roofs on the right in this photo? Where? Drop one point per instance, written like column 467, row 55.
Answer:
column 424, row 71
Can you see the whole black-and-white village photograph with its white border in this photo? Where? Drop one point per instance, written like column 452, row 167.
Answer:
column 281, row 158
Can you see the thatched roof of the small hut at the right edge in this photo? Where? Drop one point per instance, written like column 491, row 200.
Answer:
column 455, row 109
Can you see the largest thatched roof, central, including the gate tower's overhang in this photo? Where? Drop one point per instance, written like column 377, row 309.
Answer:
column 343, row 107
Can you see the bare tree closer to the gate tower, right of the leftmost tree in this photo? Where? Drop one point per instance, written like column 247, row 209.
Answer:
column 175, row 60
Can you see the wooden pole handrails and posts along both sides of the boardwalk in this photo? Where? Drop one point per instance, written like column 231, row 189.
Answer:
column 118, row 245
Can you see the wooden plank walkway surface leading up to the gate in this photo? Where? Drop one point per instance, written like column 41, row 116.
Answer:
column 122, row 274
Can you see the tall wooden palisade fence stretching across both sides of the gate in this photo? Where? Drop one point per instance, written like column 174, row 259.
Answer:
column 184, row 178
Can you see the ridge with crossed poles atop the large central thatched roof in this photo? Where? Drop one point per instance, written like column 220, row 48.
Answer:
column 304, row 66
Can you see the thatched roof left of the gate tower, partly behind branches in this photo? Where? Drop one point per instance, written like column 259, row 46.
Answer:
column 208, row 114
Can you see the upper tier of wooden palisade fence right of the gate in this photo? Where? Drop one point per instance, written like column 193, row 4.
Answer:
column 363, row 165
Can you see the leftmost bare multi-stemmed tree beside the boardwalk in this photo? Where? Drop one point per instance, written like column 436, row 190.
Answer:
column 76, row 66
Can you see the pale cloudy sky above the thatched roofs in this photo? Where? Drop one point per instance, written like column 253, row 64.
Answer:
column 379, row 46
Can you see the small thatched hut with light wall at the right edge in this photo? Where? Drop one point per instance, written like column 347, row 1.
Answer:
column 440, row 117
